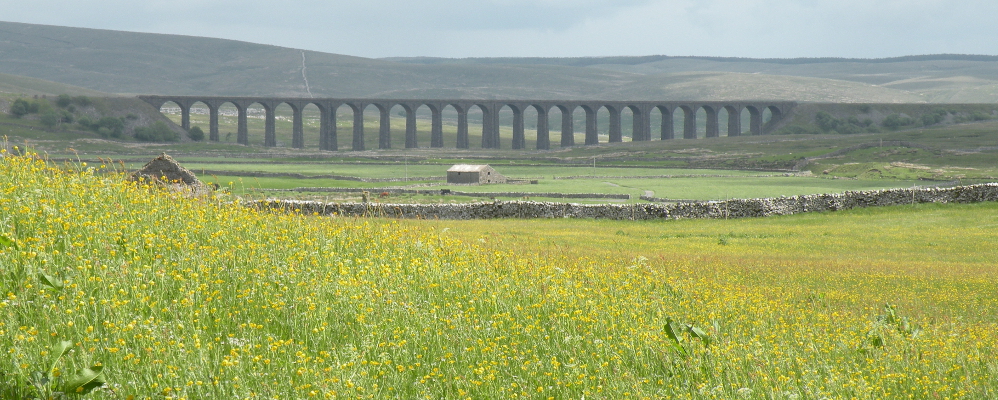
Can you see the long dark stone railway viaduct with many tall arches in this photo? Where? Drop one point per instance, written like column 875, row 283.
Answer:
column 328, row 137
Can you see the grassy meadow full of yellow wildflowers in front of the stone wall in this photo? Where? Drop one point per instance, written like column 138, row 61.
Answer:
column 163, row 296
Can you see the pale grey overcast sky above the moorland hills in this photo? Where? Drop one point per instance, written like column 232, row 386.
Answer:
column 552, row 28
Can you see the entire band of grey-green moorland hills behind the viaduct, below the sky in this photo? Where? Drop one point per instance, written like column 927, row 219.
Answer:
column 142, row 63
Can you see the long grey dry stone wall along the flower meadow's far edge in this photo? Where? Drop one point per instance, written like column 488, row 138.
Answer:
column 708, row 209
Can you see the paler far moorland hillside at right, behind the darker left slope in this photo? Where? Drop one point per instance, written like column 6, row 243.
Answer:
column 943, row 78
